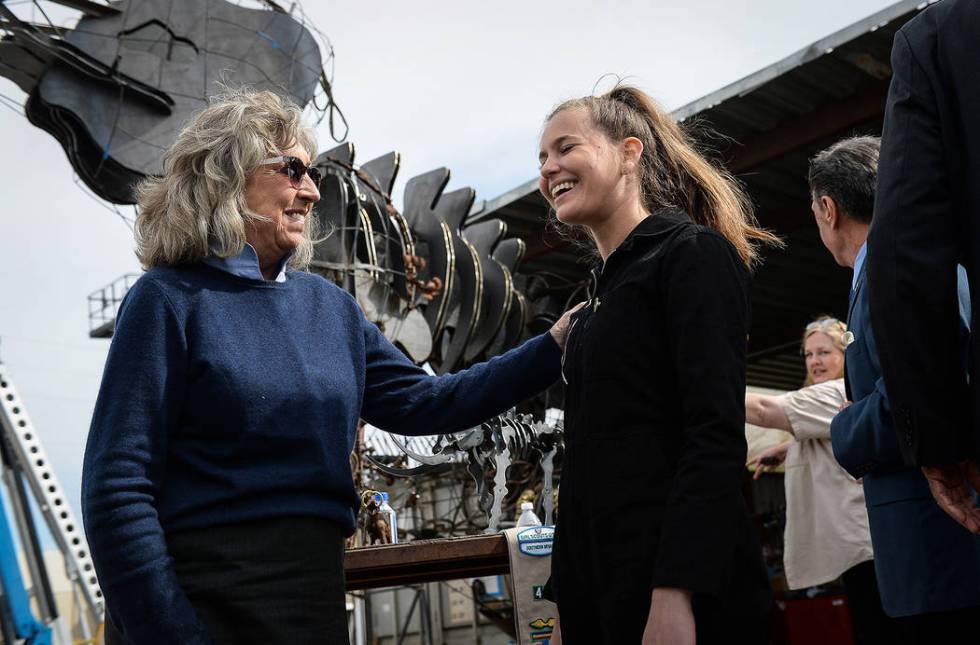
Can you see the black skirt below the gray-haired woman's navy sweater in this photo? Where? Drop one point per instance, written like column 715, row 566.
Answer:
column 266, row 582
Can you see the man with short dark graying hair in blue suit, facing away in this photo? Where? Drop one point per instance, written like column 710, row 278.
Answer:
column 927, row 567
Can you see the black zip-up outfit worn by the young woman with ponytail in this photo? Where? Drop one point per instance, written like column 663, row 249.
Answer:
column 655, row 436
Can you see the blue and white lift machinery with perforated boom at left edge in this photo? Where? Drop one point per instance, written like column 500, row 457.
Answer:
column 25, row 467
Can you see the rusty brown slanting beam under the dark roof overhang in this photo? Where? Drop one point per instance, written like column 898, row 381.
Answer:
column 827, row 121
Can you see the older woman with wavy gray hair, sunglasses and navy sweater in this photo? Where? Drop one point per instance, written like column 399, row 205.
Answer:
column 217, row 490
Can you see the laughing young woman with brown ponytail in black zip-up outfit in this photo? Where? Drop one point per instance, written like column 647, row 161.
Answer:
column 653, row 542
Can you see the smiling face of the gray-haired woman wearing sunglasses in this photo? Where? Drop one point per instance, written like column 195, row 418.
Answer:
column 271, row 193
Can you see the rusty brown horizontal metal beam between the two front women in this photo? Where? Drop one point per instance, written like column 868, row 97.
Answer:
column 426, row 561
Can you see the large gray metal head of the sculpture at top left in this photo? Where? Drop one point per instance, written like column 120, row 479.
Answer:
column 120, row 85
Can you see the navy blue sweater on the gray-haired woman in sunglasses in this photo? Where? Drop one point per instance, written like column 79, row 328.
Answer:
column 226, row 399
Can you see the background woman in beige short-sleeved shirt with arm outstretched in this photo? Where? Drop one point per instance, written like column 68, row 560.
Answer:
column 827, row 534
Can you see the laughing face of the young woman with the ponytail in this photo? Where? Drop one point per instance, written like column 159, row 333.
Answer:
column 582, row 171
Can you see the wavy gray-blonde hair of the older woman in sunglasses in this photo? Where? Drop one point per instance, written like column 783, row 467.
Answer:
column 197, row 208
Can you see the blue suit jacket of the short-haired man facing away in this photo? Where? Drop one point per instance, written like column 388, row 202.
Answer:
column 924, row 560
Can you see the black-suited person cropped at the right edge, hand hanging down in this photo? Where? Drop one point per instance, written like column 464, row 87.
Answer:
column 926, row 221
